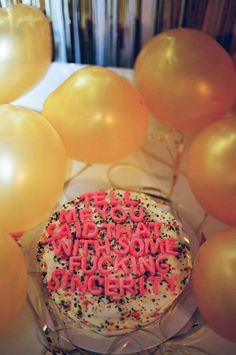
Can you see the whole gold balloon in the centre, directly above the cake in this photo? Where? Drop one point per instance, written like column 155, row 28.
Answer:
column 99, row 115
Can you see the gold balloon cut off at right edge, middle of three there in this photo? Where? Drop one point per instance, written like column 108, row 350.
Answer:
column 211, row 169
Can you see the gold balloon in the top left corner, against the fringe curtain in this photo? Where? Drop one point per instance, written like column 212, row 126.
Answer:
column 25, row 50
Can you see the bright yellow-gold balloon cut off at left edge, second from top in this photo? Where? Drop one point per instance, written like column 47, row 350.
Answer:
column 32, row 168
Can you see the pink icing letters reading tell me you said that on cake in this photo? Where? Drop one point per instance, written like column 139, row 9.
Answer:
column 107, row 267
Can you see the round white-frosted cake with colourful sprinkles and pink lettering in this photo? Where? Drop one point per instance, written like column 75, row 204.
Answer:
column 113, row 261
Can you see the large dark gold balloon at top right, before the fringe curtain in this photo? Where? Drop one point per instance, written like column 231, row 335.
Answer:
column 186, row 78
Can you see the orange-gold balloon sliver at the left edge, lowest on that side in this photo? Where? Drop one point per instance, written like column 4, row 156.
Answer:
column 13, row 281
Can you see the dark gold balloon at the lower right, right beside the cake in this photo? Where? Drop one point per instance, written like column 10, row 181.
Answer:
column 214, row 284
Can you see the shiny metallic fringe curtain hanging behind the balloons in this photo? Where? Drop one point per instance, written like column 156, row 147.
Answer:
column 111, row 32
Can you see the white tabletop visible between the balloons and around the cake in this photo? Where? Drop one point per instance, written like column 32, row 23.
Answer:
column 145, row 168
